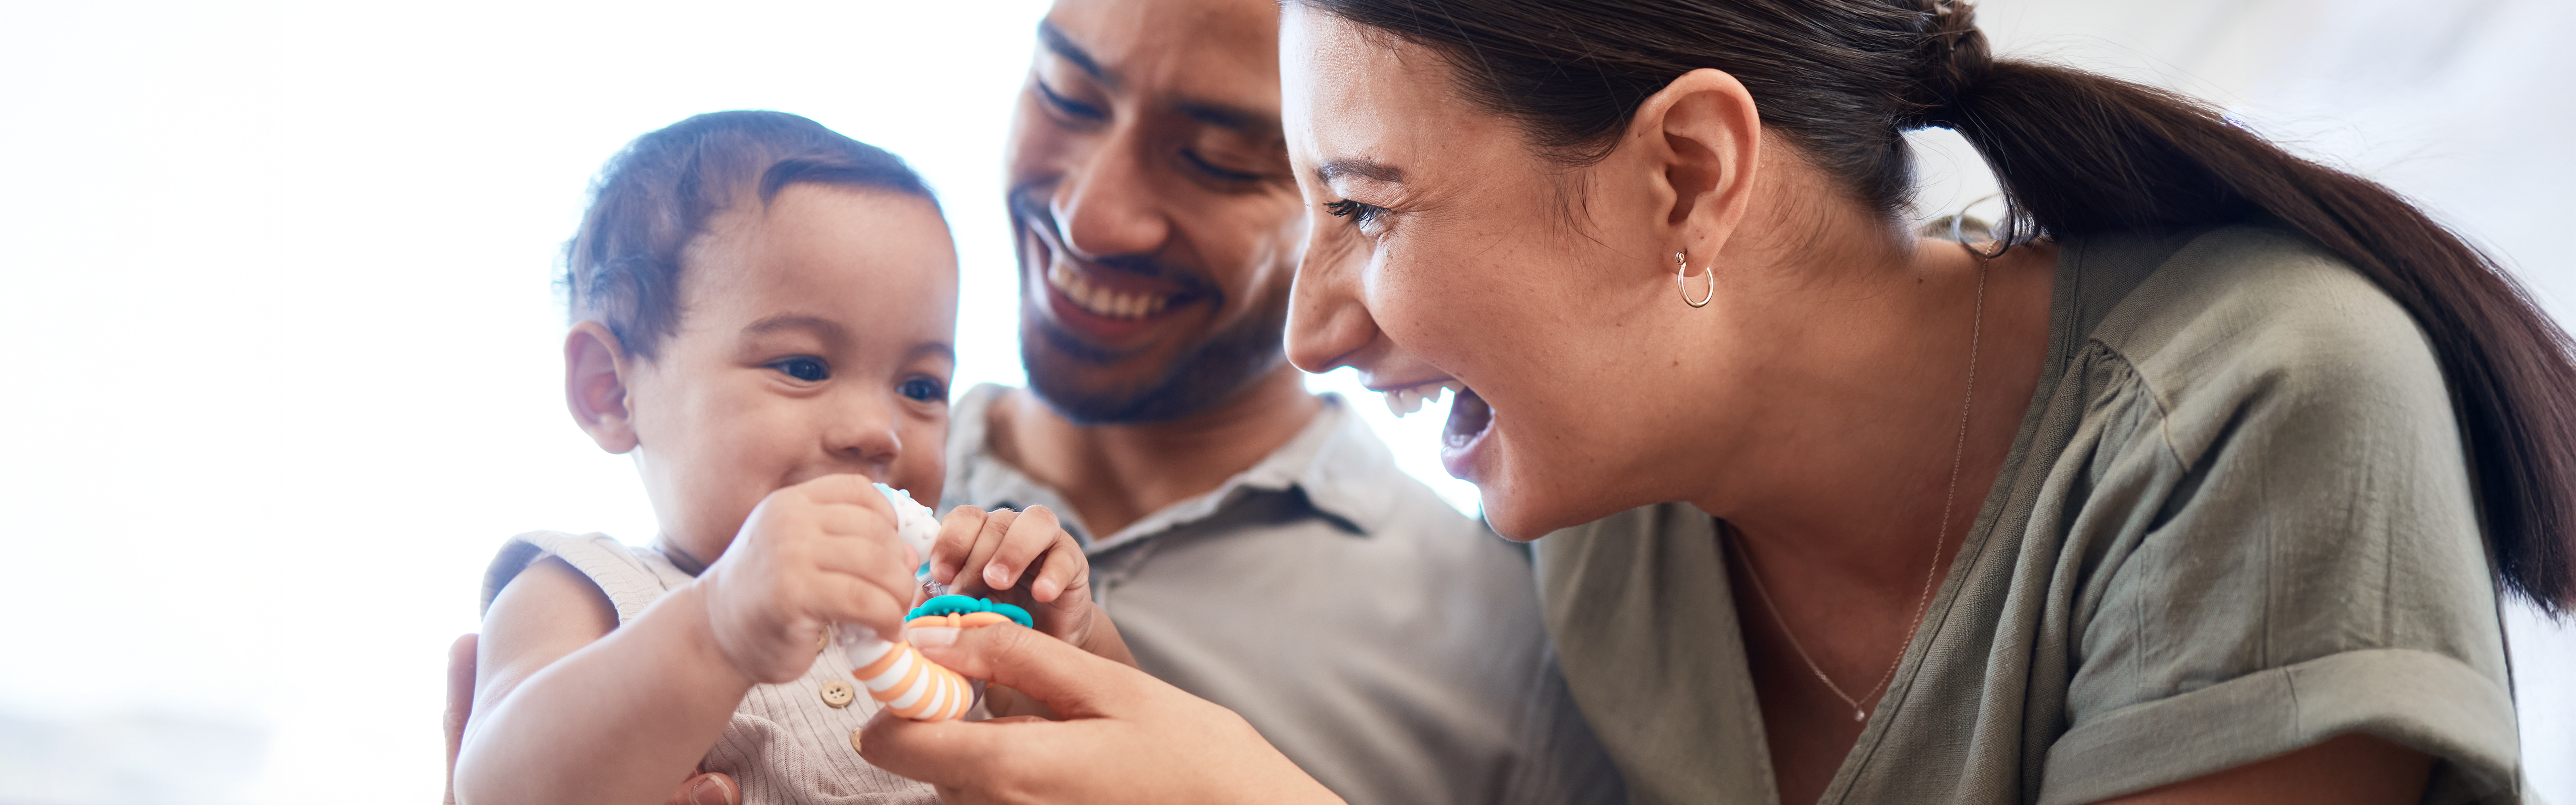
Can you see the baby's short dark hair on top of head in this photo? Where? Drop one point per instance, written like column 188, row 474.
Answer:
column 656, row 197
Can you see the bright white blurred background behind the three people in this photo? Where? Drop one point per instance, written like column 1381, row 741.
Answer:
column 282, row 350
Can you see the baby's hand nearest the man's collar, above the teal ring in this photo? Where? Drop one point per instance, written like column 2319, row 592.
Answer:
column 1019, row 559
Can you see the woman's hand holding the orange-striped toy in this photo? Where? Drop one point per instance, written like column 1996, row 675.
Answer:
column 1124, row 734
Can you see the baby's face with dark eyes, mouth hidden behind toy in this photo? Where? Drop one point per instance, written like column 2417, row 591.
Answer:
column 815, row 339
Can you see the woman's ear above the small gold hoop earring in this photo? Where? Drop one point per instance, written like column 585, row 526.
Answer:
column 1707, row 138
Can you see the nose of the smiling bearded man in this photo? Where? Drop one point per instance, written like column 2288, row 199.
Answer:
column 1109, row 205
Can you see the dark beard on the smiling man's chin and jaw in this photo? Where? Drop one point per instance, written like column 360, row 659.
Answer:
column 1194, row 383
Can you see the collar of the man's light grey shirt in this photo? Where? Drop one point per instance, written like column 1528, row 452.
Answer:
column 1336, row 466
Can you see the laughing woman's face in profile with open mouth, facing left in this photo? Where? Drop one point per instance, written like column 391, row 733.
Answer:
column 1446, row 252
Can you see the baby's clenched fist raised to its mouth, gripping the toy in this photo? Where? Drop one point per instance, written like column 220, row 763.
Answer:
column 810, row 556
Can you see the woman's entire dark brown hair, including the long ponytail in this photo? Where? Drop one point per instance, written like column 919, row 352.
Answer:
column 2078, row 154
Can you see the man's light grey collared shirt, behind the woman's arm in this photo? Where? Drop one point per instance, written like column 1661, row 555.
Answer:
column 1379, row 639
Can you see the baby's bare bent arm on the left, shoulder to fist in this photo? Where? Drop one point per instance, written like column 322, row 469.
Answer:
column 573, row 708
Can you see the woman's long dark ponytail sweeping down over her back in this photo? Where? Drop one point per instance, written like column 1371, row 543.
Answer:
column 2080, row 154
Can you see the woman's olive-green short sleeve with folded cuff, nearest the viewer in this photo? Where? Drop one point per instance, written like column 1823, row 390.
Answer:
column 2312, row 571
